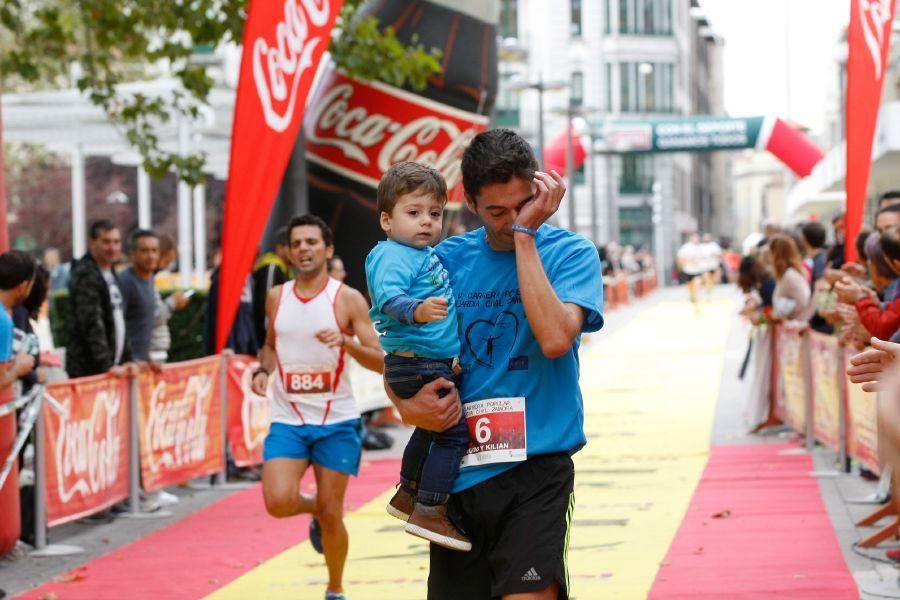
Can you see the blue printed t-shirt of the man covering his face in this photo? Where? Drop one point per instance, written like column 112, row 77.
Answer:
column 501, row 356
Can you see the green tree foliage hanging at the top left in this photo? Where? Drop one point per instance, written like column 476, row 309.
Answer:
column 103, row 43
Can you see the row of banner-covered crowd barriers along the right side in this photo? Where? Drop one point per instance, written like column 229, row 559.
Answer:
column 811, row 393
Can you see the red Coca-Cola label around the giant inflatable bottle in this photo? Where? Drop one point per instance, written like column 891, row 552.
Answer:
column 360, row 129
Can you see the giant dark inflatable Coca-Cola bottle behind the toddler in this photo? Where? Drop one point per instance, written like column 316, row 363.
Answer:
column 356, row 130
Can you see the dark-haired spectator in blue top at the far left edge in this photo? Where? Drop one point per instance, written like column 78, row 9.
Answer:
column 17, row 271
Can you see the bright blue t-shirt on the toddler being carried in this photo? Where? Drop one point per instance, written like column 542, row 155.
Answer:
column 394, row 269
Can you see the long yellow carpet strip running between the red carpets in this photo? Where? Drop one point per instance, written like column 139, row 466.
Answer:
column 650, row 391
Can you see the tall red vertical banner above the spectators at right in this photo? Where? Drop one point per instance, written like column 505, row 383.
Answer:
column 869, row 38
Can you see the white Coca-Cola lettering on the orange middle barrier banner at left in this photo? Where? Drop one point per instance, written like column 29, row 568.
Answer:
column 176, row 427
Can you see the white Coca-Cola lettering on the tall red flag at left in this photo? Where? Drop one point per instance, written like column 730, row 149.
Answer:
column 278, row 68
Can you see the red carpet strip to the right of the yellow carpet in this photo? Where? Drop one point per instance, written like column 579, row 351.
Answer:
column 756, row 528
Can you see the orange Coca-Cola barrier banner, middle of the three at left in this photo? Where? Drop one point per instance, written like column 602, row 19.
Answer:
column 180, row 421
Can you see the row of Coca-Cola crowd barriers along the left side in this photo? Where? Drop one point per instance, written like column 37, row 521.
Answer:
column 102, row 440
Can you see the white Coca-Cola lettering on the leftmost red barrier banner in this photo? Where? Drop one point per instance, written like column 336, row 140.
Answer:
column 88, row 450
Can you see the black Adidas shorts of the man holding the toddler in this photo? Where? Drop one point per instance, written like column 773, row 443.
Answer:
column 519, row 525
